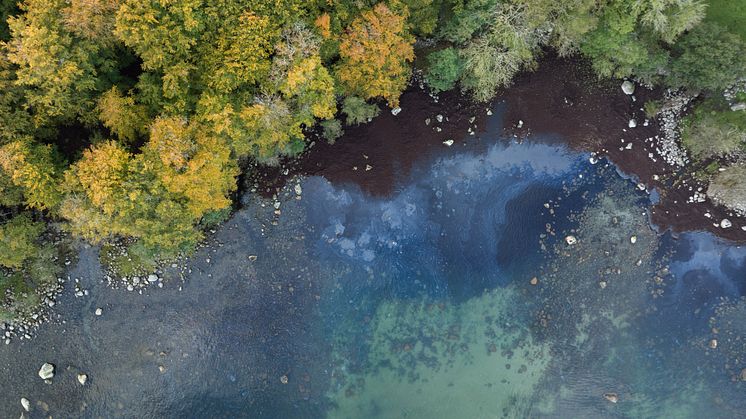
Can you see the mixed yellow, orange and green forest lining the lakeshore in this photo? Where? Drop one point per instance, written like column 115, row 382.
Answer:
column 126, row 123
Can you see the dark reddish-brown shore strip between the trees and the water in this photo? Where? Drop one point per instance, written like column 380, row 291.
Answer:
column 562, row 97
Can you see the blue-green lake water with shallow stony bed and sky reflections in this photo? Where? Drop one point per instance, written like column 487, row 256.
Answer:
column 417, row 305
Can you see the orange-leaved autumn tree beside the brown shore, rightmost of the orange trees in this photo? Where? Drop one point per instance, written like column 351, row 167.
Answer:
column 375, row 52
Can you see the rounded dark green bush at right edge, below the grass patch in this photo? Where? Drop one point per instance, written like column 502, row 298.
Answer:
column 708, row 58
